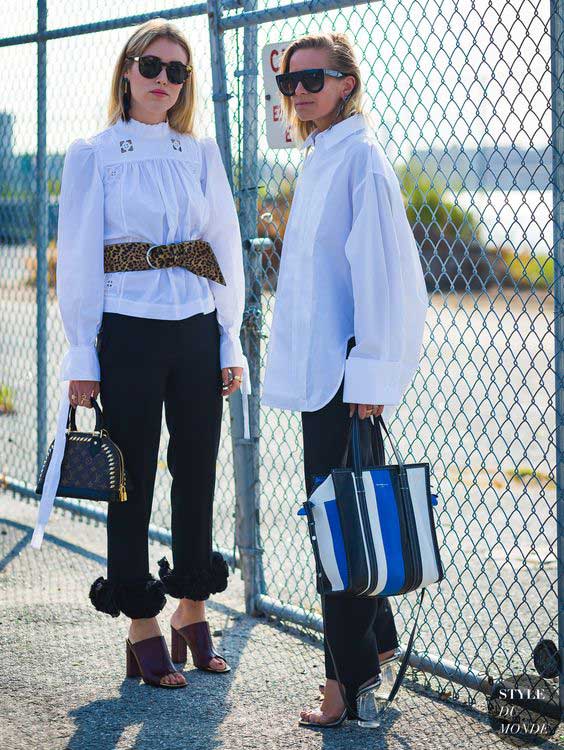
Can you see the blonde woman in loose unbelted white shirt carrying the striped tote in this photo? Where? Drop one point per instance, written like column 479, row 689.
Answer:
column 349, row 314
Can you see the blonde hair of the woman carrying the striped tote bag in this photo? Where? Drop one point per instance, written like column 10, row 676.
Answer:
column 341, row 57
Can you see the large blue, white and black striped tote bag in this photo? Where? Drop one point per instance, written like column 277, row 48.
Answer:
column 372, row 527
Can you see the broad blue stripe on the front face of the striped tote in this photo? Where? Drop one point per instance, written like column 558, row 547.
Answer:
column 390, row 528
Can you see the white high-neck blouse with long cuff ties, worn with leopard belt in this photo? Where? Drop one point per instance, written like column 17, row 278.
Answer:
column 148, row 183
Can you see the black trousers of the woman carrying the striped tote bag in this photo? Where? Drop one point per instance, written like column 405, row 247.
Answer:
column 356, row 628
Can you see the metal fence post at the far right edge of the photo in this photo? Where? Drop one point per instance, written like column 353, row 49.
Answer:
column 557, row 55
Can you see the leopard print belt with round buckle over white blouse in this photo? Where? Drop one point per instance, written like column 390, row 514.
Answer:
column 195, row 255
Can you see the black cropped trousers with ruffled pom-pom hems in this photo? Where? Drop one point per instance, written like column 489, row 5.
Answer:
column 144, row 364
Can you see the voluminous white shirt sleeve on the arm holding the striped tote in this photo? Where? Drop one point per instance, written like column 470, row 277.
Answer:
column 390, row 298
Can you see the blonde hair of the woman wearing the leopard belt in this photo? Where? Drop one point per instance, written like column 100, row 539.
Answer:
column 181, row 115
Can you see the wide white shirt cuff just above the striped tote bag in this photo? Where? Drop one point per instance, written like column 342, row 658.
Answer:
column 370, row 381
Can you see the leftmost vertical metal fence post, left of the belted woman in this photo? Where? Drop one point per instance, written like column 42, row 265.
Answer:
column 42, row 235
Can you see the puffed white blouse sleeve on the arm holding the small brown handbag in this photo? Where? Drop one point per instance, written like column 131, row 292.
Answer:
column 80, row 260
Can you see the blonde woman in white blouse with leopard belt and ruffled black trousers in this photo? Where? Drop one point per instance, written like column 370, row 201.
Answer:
column 144, row 338
